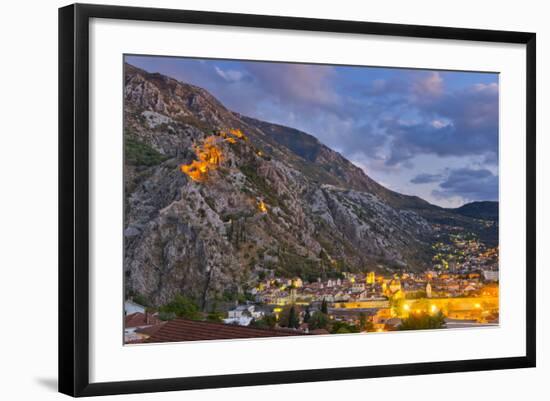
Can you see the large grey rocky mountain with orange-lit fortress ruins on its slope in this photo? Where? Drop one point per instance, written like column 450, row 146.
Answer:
column 214, row 200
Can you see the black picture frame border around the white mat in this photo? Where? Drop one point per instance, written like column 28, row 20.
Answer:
column 74, row 201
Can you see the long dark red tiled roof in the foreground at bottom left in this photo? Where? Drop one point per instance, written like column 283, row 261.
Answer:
column 192, row 330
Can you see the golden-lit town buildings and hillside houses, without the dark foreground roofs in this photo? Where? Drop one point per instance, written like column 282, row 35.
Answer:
column 462, row 284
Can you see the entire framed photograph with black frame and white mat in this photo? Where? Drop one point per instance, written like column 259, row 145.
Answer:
column 250, row 199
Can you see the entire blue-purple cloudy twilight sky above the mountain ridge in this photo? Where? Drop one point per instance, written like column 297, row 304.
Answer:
column 420, row 132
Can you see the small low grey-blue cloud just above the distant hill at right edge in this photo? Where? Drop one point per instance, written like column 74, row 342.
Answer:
column 469, row 184
